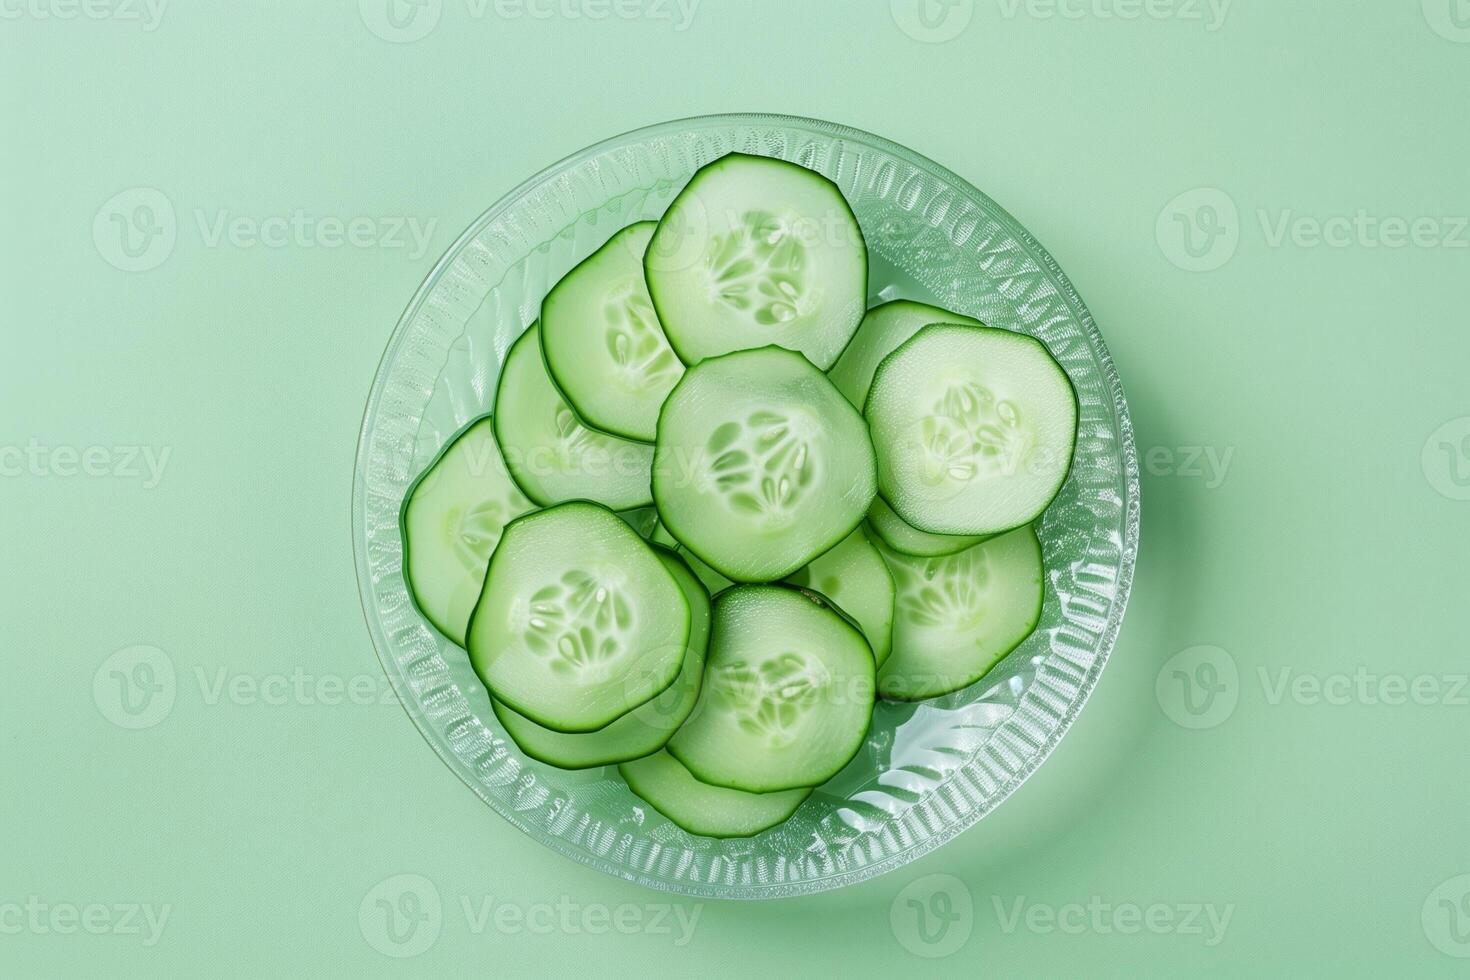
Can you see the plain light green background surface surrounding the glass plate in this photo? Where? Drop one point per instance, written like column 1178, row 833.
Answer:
column 1331, row 543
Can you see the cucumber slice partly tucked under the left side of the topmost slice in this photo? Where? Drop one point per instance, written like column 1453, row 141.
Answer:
column 603, row 343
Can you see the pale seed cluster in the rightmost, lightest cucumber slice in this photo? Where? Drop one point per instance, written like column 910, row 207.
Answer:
column 971, row 434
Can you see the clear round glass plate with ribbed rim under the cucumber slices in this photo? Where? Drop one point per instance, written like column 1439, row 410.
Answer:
column 928, row 771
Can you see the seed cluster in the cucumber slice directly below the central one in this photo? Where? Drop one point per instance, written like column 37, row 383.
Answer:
column 770, row 699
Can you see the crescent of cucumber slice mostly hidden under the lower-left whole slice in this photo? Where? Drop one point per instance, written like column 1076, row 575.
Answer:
column 645, row 729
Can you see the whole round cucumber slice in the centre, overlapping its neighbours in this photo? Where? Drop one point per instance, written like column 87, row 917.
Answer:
column 761, row 465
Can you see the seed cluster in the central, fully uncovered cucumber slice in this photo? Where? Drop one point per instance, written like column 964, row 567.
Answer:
column 762, row 466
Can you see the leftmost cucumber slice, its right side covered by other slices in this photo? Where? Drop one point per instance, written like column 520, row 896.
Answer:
column 452, row 519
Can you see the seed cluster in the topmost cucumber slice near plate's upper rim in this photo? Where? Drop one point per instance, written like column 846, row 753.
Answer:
column 758, row 268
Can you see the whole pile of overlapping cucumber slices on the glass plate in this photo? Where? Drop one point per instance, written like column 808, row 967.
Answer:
column 718, row 509
